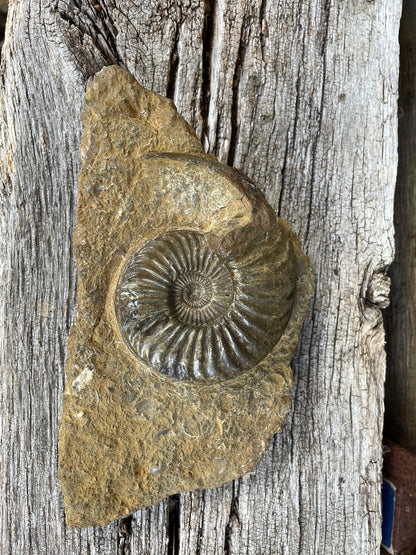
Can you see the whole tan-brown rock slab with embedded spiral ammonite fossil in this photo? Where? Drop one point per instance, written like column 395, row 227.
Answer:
column 191, row 296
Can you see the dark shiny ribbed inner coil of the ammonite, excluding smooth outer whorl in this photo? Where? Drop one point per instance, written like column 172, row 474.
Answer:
column 192, row 314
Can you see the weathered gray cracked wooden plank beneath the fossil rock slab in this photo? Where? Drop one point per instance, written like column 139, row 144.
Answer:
column 302, row 97
